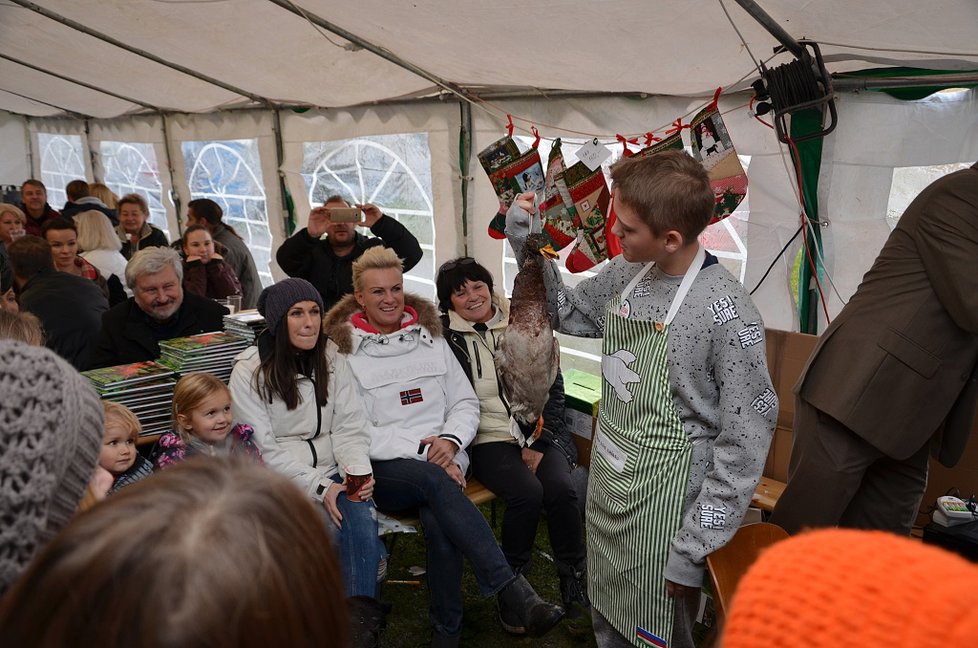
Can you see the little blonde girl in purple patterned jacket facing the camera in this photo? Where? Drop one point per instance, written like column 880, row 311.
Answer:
column 203, row 424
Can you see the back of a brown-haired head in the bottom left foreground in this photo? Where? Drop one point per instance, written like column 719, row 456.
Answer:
column 210, row 553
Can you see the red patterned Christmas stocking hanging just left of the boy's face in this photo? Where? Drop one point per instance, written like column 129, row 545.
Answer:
column 589, row 193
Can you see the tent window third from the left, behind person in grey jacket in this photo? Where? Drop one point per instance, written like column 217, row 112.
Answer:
column 229, row 173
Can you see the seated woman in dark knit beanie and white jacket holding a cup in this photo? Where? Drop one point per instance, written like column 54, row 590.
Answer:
column 299, row 397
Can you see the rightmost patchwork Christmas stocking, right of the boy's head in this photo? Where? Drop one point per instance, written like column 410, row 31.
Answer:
column 714, row 149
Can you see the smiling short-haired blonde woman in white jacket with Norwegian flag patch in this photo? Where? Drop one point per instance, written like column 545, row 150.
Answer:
column 422, row 413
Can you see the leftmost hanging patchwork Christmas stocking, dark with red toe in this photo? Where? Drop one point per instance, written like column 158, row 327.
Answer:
column 510, row 174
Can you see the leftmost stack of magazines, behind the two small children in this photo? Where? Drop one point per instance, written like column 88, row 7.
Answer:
column 146, row 388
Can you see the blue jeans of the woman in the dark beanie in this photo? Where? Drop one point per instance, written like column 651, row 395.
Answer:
column 360, row 548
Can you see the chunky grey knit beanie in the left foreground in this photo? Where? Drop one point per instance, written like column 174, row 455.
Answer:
column 51, row 423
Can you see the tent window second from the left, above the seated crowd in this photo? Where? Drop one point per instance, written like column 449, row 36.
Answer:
column 131, row 168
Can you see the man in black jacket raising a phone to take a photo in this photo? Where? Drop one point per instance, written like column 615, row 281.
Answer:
column 328, row 263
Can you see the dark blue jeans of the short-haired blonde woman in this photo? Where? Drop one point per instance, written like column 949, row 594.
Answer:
column 453, row 528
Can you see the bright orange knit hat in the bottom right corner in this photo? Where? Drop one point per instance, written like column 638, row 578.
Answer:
column 864, row 589
